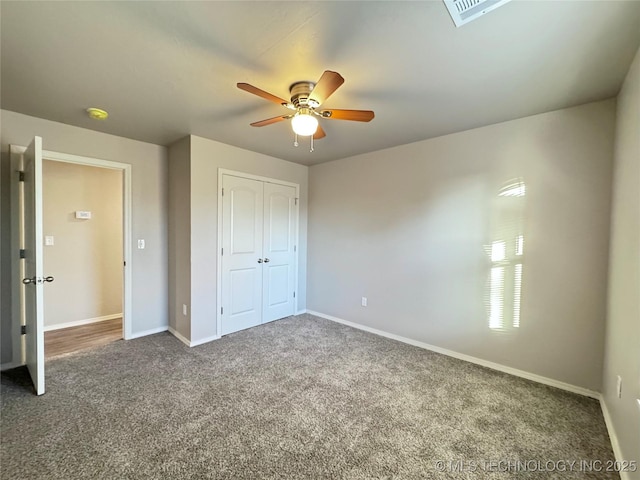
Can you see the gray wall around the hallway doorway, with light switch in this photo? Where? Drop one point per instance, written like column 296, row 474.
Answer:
column 149, row 211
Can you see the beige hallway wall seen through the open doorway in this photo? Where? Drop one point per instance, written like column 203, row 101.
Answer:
column 86, row 258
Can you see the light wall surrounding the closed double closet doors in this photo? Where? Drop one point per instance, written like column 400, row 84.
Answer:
column 207, row 156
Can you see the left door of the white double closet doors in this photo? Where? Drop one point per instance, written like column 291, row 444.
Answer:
column 242, row 226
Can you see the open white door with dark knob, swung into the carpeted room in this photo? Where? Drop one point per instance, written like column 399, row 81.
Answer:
column 34, row 280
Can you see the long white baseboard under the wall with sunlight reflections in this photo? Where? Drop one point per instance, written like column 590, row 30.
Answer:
column 467, row 358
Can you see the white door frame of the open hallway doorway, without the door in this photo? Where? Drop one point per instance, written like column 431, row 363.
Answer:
column 127, row 286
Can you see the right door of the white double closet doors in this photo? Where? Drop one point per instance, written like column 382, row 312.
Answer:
column 279, row 255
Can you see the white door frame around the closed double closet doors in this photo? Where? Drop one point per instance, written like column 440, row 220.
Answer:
column 249, row 176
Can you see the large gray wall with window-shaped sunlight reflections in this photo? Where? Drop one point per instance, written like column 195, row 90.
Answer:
column 408, row 228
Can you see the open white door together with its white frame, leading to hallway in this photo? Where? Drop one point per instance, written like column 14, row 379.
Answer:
column 27, row 238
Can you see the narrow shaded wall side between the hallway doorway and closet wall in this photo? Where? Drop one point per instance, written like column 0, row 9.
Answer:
column 180, row 236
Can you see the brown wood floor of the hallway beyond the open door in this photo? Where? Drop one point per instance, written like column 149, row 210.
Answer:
column 72, row 339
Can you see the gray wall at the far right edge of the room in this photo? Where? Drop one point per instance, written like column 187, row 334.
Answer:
column 622, row 347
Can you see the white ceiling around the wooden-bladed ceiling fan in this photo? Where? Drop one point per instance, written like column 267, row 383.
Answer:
column 164, row 70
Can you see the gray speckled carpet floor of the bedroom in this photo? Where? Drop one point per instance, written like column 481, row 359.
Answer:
column 299, row 398
